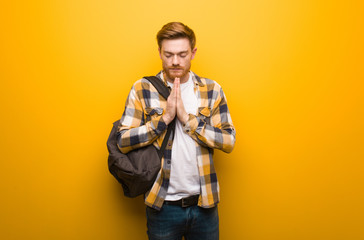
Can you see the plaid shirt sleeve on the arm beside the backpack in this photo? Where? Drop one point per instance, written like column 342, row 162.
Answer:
column 134, row 130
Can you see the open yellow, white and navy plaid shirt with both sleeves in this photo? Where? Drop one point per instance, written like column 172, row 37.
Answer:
column 142, row 124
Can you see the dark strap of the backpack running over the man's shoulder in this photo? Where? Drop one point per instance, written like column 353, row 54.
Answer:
column 164, row 91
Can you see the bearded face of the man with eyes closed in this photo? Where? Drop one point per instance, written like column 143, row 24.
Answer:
column 176, row 56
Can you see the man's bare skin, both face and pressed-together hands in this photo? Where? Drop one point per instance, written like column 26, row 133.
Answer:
column 176, row 56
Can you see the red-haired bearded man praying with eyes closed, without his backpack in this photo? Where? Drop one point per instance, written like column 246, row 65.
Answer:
column 183, row 200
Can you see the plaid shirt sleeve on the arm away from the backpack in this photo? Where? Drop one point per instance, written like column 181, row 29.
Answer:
column 218, row 132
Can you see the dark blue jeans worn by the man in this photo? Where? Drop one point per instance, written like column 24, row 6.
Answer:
column 173, row 222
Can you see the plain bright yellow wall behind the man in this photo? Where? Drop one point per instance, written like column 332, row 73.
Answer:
column 293, row 75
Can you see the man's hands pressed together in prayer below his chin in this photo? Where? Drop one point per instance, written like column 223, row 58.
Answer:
column 175, row 105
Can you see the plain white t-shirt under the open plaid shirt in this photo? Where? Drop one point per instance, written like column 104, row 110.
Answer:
column 184, row 180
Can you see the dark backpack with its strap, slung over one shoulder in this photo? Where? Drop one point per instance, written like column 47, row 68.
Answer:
column 137, row 170
